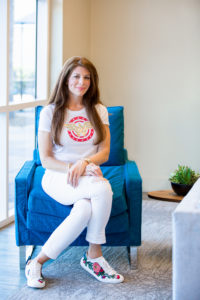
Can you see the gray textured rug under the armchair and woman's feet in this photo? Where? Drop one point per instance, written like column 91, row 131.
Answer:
column 152, row 280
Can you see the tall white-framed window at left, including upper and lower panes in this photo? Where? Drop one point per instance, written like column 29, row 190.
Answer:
column 23, row 85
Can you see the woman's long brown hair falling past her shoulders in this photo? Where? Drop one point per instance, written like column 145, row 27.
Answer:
column 60, row 96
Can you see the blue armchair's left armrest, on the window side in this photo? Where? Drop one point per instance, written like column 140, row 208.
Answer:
column 23, row 182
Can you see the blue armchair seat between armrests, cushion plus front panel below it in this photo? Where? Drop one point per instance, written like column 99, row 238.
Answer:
column 39, row 203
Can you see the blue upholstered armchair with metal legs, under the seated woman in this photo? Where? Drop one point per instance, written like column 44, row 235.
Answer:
column 37, row 215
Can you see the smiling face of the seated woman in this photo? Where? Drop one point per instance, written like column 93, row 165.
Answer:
column 79, row 81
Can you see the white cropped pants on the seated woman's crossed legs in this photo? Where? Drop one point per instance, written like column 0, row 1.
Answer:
column 92, row 200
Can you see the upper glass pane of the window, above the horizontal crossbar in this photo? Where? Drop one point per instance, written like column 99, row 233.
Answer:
column 22, row 51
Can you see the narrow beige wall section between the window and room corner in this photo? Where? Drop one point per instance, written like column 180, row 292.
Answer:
column 70, row 33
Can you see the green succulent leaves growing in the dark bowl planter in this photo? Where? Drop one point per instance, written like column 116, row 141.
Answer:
column 184, row 175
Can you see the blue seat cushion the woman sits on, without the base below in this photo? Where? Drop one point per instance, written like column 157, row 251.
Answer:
column 40, row 202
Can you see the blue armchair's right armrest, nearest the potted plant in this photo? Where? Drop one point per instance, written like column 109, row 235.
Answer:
column 133, row 185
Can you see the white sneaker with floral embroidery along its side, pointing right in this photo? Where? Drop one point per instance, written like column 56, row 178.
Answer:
column 100, row 269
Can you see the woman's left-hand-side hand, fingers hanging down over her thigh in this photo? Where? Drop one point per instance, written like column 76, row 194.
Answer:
column 75, row 171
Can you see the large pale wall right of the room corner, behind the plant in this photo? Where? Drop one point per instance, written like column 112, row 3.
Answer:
column 148, row 57
